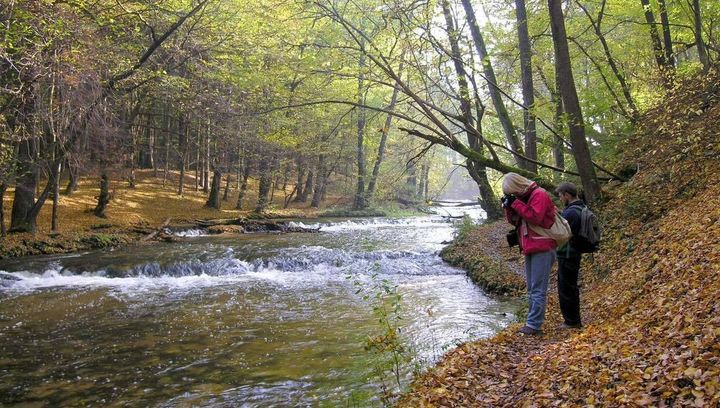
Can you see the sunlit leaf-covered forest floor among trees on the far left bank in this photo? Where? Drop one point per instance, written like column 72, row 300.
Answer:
column 134, row 213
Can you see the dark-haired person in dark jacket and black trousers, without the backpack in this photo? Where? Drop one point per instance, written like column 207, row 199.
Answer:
column 569, row 258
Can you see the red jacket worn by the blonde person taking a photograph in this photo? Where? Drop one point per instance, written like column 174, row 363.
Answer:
column 537, row 208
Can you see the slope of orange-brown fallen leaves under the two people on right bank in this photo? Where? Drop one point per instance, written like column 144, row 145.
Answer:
column 650, row 308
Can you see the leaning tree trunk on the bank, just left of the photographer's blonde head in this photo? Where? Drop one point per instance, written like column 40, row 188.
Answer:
column 488, row 202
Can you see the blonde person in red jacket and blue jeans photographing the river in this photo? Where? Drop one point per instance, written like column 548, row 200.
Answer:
column 526, row 203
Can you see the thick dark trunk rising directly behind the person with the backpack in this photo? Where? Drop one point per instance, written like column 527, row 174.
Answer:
column 580, row 148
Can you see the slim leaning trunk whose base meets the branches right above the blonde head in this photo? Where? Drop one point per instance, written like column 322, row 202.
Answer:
column 495, row 96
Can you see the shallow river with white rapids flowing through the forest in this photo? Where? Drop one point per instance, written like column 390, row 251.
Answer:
column 255, row 320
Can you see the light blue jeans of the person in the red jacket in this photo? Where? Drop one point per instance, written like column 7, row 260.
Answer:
column 537, row 275
